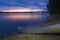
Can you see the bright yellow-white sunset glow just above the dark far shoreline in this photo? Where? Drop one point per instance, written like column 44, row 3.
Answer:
column 22, row 10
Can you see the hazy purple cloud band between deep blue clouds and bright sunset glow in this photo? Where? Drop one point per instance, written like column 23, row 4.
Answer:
column 17, row 7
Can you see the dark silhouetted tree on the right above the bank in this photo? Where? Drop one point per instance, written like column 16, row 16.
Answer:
column 54, row 8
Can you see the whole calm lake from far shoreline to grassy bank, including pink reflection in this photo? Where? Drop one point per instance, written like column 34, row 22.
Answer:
column 9, row 22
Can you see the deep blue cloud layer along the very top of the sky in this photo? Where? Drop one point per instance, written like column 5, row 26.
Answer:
column 20, row 2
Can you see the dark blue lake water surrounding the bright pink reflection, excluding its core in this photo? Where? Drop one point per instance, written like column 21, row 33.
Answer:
column 8, row 26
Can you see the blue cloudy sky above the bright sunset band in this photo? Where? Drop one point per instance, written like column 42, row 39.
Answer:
column 6, row 4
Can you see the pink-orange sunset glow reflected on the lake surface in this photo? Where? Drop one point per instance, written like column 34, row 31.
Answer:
column 22, row 16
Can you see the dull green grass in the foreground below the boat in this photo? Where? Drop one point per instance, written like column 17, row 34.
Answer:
column 23, row 36
